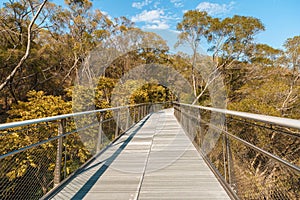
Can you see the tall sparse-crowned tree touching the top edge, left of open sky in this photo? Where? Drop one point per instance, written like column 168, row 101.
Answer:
column 79, row 29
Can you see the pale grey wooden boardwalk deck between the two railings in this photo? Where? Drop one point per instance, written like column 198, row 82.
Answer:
column 153, row 160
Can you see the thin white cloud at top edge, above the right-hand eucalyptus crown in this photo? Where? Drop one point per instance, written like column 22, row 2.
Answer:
column 215, row 8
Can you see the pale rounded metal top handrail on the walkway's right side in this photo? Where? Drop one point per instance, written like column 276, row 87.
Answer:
column 286, row 122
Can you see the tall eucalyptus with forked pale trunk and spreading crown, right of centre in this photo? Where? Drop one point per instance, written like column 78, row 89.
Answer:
column 229, row 40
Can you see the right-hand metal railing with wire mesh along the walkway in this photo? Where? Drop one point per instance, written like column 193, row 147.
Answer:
column 254, row 156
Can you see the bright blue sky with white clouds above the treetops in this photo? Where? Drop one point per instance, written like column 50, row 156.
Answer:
column 280, row 17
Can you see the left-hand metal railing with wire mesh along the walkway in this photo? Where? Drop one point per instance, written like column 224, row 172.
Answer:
column 36, row 155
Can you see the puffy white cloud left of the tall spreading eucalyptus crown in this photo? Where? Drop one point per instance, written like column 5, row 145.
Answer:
column 153, row 19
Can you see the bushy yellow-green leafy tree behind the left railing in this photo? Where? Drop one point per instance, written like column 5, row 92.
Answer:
column 36, row 164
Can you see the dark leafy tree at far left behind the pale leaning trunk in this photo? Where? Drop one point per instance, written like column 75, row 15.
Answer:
column 37, row 69
